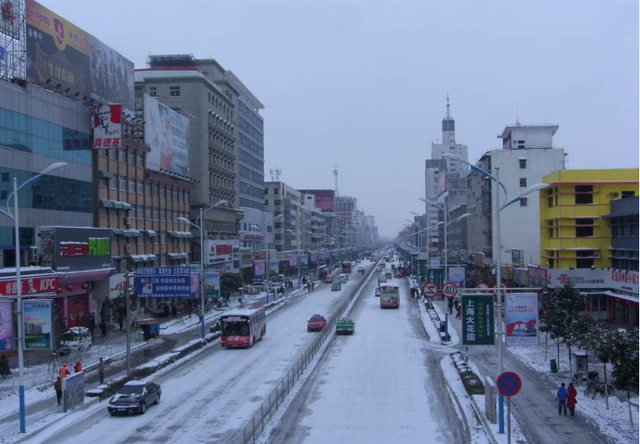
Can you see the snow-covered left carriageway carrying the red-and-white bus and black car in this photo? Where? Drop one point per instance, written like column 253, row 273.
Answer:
column 210, row 398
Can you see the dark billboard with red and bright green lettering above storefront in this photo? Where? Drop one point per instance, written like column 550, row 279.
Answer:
column 74, row 248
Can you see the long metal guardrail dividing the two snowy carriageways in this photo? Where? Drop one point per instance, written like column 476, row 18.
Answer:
column 256, row 424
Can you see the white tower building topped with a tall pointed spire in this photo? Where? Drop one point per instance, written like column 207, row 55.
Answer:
column 445, row 180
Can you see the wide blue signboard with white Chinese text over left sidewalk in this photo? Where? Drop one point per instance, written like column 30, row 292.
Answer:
column 163, row 282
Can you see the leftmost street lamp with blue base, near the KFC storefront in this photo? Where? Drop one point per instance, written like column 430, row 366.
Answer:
column 16, row 224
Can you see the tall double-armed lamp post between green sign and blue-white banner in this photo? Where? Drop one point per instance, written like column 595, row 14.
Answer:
column 495, row 213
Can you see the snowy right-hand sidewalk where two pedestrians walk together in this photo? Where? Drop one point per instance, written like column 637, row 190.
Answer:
column 534, row 407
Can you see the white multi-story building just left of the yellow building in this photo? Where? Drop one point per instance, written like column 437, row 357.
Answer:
column 520, row 168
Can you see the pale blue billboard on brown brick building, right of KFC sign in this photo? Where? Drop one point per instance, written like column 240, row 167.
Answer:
column 167, row 133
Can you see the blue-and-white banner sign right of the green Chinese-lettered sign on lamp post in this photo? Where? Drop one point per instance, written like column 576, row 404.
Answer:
column 521, row 314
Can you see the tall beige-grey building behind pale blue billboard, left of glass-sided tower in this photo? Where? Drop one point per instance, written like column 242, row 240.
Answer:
column 201, row 90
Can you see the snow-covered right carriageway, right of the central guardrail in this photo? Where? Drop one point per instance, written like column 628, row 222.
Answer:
column 381, row 385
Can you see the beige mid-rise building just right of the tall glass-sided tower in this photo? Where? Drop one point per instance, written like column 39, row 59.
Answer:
column 280, row 198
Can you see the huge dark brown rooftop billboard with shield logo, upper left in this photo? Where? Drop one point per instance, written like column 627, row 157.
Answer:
column 67, row 59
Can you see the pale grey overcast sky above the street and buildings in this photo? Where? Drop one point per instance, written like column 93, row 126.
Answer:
column 362, row 84
